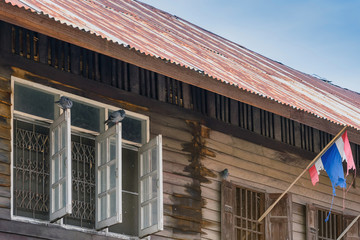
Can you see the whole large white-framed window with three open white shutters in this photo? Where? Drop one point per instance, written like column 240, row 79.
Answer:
column 41, row 189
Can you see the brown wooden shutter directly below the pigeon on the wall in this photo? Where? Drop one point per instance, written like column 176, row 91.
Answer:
column 227, row 210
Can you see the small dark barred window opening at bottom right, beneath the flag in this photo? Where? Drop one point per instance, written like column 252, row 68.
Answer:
column 330, row 229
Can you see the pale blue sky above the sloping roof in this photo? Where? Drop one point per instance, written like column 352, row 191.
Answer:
column 319, row 37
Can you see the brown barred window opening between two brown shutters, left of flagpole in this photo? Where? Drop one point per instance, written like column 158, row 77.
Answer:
column 249, row 207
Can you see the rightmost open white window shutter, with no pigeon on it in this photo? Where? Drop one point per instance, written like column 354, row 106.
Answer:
column 150, row 187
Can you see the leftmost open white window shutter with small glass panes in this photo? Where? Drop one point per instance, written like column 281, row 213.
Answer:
column 60, row 167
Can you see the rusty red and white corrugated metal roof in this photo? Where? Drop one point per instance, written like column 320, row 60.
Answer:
column 154, row 32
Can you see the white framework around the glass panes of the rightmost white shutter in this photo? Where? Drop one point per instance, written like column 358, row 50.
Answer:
column 156, row 144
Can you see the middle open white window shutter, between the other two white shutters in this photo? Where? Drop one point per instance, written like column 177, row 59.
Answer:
column 108, row 177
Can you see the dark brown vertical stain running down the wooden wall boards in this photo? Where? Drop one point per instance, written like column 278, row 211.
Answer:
column 186, row 209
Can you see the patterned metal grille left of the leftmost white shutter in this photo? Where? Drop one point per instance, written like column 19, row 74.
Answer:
column 31, row 170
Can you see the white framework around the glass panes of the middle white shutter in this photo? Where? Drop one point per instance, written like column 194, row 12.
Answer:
column 114, row 131
